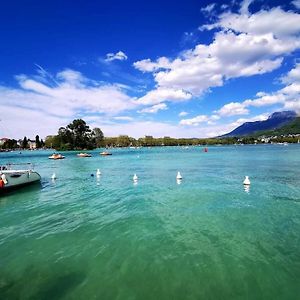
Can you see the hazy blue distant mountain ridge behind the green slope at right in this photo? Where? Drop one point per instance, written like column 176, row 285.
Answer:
column 275, row 121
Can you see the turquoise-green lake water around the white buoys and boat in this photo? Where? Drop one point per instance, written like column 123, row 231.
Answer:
column 207, row 238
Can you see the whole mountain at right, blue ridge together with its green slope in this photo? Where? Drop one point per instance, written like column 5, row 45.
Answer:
column 285, row 122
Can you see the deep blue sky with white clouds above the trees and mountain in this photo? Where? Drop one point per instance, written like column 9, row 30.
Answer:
column 161, row 68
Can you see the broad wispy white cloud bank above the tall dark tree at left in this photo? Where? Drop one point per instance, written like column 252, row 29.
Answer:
column 73, row 95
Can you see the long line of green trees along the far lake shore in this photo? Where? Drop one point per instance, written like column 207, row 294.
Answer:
column 78, row 136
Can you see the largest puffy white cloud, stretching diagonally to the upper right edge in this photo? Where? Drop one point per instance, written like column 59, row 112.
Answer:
column 245, row 45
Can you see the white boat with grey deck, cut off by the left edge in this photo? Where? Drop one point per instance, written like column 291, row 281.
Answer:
column 12, row 177
